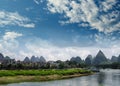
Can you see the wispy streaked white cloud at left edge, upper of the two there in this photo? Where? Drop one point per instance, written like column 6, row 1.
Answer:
column 14, row 18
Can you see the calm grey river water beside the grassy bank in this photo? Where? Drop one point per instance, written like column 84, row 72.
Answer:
column 106, row 77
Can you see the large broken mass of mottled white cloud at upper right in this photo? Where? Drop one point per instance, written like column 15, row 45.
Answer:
column 87, row 11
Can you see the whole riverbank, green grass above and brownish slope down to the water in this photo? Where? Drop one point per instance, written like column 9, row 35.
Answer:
column 15, row 76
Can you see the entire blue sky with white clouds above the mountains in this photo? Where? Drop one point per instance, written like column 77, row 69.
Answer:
column 59, row 29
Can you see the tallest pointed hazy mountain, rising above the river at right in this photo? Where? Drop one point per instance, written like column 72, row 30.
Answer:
column 100, row 58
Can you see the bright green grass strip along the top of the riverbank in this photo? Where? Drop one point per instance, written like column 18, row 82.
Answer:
column 42, row 72
